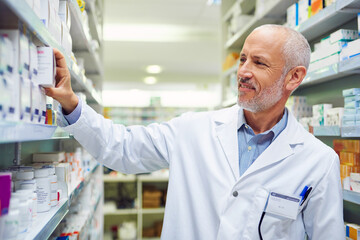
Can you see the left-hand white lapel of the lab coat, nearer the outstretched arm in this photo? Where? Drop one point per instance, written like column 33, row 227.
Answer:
column 226, row 131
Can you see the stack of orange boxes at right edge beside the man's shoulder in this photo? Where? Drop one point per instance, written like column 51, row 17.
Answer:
column 349, row 154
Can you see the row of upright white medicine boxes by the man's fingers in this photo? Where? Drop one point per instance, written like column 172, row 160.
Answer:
column 24, row 69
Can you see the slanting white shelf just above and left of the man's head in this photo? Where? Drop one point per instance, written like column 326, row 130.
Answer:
column 276, row 8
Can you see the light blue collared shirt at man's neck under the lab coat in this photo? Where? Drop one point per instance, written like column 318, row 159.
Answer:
column 251, row 145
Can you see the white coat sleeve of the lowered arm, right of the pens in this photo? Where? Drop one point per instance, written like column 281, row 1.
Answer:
column 323, row 215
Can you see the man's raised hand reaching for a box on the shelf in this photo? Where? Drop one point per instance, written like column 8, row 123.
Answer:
column 62, row 92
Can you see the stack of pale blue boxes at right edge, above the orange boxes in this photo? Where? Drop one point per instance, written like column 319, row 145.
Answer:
column 352, row 107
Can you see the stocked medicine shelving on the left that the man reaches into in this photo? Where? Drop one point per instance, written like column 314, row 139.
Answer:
column 50, row 186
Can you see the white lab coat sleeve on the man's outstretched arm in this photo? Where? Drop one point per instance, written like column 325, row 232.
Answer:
column 135, row 149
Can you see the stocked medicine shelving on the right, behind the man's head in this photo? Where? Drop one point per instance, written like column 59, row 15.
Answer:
column 327, row 101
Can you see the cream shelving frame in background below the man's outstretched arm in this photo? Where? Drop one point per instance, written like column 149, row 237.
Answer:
column 140, row 212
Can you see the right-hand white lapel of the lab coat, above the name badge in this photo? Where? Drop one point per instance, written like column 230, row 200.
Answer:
column 281, row 148
